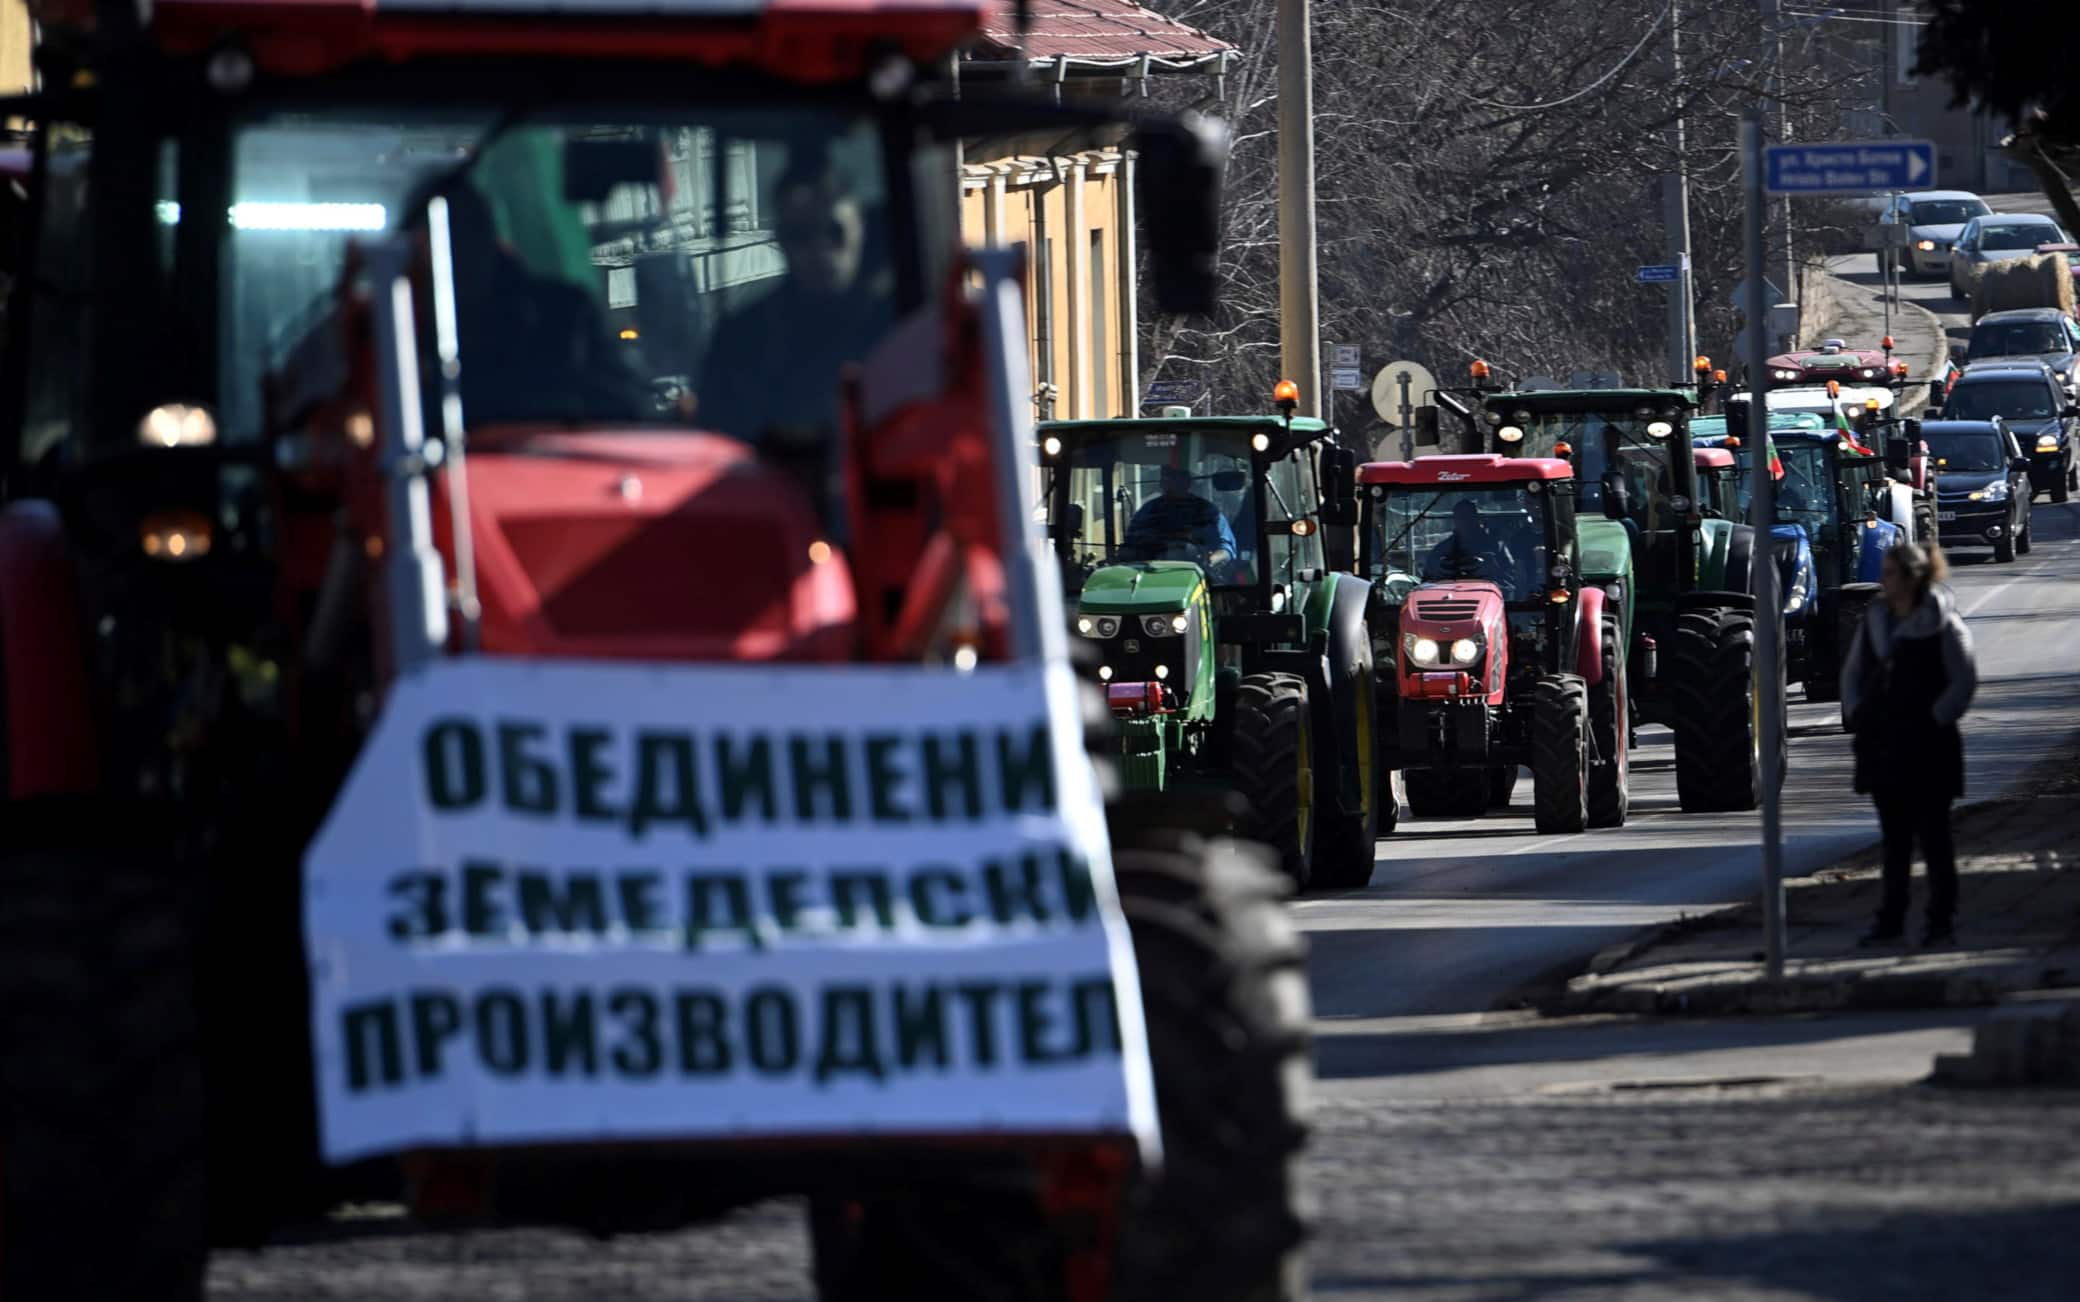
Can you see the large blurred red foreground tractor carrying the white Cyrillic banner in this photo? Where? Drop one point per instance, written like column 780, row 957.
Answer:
column 527, row 687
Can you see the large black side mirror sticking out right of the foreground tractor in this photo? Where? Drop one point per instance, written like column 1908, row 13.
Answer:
column 1180, row 199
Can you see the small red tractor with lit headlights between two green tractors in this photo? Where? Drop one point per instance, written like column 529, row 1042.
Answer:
column 1505, row 656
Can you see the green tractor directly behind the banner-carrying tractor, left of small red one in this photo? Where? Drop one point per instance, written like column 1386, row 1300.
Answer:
column 1207, row 565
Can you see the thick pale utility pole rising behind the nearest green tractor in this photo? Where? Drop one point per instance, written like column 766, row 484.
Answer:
column 1299, row 290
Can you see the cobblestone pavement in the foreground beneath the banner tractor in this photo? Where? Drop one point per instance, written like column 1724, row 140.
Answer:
column 1723, row 1195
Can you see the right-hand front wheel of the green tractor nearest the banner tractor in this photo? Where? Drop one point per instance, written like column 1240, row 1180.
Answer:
column 1274, row 756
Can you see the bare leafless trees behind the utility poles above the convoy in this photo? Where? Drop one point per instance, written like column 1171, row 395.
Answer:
column 1488, row 180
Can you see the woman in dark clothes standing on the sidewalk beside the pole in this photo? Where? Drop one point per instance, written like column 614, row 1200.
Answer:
column 1904, row 685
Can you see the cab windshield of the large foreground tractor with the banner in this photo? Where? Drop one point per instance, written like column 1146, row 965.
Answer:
column 694, row 265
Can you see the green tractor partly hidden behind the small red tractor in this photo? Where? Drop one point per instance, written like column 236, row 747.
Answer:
column 1678, row 573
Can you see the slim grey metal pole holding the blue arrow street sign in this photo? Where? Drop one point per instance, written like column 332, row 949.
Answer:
column 1765, row 575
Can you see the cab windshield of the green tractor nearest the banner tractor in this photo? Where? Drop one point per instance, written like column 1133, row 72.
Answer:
column 1180, row 494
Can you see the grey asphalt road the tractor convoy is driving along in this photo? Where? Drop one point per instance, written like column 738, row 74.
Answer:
column 1461, row 914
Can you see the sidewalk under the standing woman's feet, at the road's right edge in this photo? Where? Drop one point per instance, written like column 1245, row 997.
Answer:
column 2019, row 929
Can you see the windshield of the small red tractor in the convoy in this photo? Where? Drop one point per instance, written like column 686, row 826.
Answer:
column 1492, row 531
